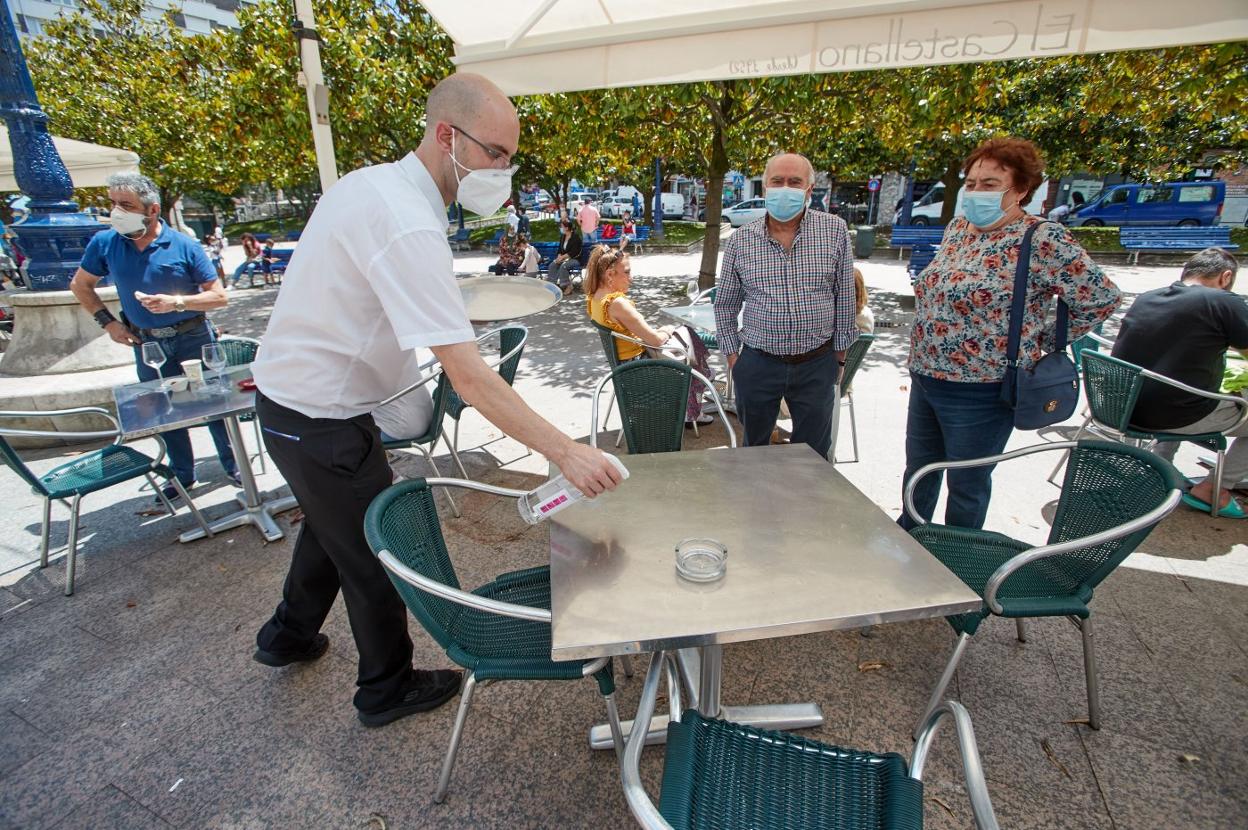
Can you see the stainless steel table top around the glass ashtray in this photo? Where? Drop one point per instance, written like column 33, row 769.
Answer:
column 807, row 552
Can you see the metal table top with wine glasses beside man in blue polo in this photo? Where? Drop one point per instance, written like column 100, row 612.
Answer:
column 145, row 410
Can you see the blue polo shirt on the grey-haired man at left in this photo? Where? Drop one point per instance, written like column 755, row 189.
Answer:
column 173, row 264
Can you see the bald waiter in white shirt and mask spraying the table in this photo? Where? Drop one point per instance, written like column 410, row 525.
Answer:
column 371, row 281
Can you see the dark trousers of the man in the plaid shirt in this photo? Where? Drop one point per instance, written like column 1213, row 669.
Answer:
column 811, row 390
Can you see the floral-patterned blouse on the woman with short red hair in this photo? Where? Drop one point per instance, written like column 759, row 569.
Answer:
column 963, row 300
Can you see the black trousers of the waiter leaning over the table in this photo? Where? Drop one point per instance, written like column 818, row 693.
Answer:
column 335, row 470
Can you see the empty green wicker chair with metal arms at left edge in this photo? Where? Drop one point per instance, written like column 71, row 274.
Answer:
column 87, row 474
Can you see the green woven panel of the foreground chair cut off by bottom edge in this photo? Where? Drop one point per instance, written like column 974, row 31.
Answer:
column 721, row 776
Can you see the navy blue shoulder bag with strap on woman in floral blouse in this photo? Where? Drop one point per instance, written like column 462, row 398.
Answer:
column 1048, row 393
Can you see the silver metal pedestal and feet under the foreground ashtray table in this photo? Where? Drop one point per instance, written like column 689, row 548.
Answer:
column 701, row 673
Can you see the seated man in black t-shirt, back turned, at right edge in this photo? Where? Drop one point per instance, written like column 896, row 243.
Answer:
column 1184, row 333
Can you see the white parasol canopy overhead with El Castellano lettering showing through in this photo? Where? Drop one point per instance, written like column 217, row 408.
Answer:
column 532, row 47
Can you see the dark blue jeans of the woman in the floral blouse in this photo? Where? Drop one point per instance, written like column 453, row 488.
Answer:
column 950, row 421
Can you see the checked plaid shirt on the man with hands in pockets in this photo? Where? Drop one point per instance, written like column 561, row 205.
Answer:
column 796, row 301
